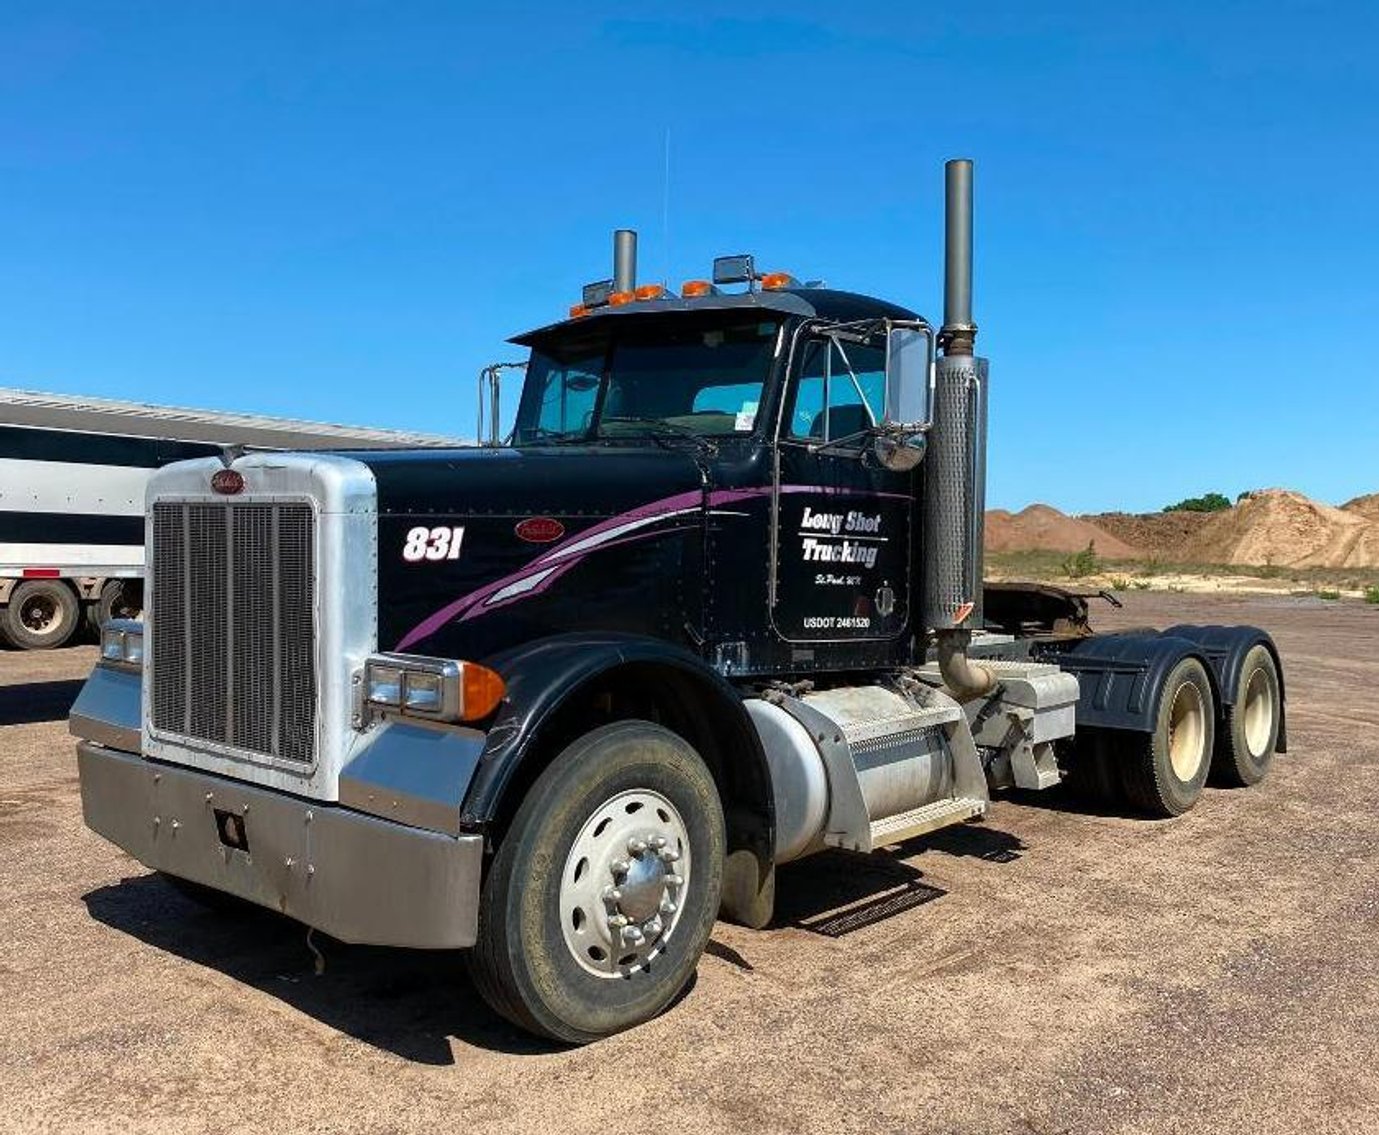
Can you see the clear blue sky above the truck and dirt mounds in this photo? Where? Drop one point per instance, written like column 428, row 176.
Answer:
column 343, row 210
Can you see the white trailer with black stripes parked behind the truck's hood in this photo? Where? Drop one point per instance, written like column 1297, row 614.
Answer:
column 72, row 479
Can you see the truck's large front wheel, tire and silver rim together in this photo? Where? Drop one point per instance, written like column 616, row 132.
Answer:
column 606, row 889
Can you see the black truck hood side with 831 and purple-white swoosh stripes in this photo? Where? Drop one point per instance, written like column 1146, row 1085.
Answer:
column 479, row 550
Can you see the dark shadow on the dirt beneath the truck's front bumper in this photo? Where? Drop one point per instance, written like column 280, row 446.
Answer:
column 410, row 1003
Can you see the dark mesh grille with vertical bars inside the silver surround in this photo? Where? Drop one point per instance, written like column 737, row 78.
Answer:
column 234, row 646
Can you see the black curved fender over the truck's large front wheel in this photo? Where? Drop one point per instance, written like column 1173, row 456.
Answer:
column 551, row 683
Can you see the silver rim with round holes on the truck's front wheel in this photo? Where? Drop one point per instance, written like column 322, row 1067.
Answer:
column 623, row 886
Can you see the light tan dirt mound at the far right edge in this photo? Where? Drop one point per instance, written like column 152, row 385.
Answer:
column 1276, row 526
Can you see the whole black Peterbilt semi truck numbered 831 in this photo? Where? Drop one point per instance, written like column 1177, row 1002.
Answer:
column 715, row 606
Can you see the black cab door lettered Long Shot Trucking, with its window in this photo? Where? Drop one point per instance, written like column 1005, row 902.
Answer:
column 841, row 521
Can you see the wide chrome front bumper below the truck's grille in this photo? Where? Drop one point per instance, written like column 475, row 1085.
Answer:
column 354, row 876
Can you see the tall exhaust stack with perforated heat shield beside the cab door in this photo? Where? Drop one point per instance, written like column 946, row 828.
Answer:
column 955, row 481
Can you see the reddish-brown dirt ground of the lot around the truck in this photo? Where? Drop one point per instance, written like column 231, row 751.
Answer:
column 1047, row 972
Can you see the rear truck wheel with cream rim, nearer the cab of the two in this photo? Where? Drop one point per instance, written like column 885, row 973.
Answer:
column 1166, row 770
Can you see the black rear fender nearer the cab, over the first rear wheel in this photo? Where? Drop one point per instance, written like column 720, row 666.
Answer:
column 1120, row 676
